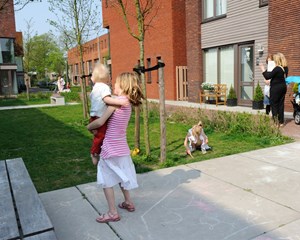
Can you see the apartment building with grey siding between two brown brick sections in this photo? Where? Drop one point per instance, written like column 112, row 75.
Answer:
column 226, row 39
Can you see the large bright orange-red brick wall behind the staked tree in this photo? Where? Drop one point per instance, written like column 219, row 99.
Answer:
column 165, row 39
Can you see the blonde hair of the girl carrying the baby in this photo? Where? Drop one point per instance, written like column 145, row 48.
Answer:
column 128, row 83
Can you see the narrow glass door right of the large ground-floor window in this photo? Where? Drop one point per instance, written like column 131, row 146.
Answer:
column 246, row 74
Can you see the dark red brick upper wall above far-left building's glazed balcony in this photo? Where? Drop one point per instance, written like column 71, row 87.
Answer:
column 7, row 21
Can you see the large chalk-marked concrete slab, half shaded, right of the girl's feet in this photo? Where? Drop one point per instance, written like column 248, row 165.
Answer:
column 182, row 203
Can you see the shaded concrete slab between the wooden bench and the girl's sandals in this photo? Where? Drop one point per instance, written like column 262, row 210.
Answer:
column 73, row 217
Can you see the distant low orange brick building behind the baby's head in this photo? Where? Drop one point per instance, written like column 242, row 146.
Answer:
column 94, row 51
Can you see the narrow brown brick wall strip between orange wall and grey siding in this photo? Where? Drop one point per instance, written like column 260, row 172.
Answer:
column 194, row 53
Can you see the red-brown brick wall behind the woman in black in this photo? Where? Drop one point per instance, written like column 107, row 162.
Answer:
column 284, row 36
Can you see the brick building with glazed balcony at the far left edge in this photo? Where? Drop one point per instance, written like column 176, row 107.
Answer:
column 11, row 65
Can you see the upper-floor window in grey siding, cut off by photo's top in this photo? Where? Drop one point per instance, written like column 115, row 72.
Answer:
column 214, row 8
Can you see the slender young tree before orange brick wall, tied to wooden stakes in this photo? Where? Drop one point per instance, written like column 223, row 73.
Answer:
column 139, row 13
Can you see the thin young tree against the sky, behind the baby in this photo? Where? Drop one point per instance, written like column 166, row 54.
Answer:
column 80, row 19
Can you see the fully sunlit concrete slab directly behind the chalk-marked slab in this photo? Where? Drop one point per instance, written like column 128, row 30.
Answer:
column 271, row 181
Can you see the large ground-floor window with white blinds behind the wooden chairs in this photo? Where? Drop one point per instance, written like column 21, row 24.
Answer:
column 219, row 65
